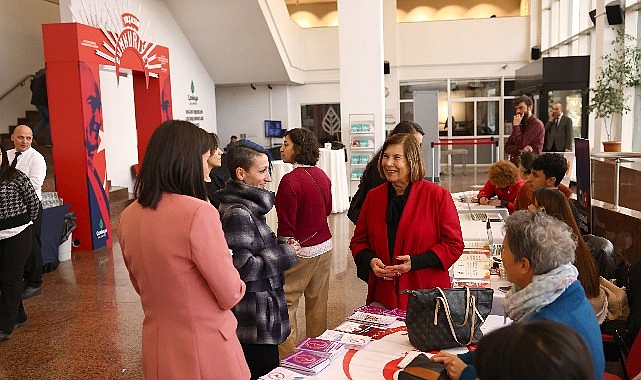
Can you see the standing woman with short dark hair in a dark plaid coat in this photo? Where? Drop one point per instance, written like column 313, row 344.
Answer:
column 261, row 258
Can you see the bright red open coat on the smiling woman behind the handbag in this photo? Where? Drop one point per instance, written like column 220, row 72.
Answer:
column 429, row 222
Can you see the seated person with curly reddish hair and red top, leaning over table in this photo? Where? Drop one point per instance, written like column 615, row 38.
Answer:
column 504, row 183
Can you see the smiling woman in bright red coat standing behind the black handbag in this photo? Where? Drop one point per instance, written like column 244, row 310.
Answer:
column 408, row 232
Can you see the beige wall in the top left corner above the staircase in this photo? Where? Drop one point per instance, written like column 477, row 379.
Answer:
column 21, row 52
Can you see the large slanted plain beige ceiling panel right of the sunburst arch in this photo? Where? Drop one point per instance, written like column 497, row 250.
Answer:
column 232, row 40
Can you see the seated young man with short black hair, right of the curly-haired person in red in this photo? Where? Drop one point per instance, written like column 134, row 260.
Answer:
column 547, row 171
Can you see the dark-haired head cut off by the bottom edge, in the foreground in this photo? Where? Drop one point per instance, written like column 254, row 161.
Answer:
column 533, row 351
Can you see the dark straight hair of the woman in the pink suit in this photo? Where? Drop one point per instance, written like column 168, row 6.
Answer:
column 173, row 163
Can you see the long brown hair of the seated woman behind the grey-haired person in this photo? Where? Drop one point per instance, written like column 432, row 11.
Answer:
column 556, row 204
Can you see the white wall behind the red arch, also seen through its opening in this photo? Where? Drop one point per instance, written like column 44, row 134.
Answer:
column 118, row 105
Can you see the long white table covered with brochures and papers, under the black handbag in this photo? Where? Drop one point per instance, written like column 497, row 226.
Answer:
column 374, row 340
